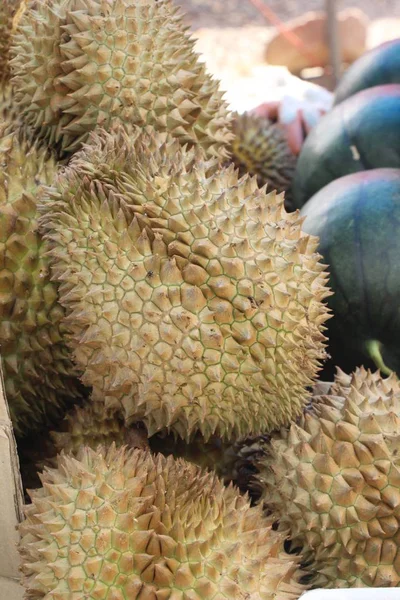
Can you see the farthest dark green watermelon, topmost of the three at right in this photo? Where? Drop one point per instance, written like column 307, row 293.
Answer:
column 379, row 66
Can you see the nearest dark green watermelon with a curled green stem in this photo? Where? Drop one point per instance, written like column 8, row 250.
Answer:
column 357, row 219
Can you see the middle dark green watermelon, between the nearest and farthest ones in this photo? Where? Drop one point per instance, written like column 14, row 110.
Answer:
column 361, row 133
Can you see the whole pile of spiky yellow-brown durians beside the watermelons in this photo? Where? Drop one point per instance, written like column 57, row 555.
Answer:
column 162, row 327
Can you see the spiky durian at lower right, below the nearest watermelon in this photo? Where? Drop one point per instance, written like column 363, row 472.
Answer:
column 333, row 482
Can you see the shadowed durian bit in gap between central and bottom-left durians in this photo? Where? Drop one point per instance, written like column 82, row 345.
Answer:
column 94, row 424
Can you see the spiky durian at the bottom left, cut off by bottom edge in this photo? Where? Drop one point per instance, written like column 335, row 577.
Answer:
column 125, row 524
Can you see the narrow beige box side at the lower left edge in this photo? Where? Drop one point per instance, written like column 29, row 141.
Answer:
column 11, row 505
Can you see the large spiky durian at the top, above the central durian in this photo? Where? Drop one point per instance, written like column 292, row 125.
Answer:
column 82, row 63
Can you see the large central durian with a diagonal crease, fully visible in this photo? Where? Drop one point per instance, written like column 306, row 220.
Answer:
column 194, row 302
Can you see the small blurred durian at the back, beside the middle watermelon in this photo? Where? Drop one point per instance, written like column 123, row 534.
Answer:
column 260, row 148
